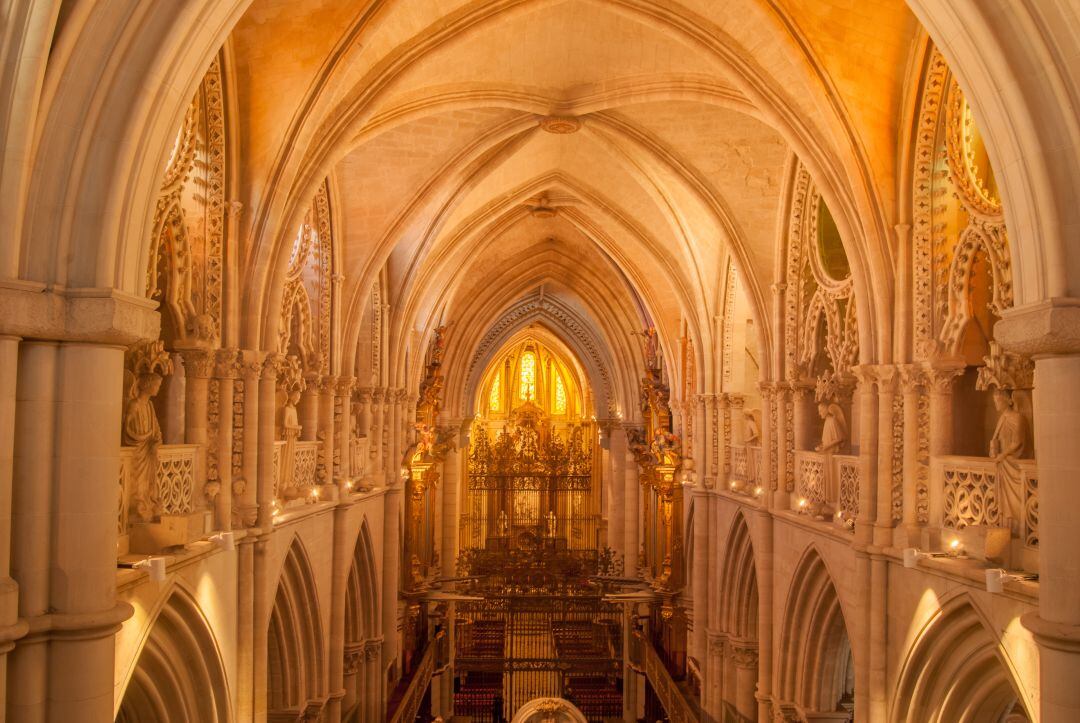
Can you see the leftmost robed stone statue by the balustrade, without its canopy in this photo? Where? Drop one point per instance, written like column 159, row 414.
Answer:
column 143, row 433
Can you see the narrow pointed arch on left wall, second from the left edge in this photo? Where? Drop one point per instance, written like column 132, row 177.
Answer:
column 295, row 640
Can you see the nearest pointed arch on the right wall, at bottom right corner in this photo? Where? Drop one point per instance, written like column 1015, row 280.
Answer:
column 956, row 672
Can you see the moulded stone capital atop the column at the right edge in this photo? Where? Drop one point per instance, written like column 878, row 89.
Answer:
column 1044, row 328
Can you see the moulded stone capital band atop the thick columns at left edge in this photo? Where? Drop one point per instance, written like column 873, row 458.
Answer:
column 100, row 316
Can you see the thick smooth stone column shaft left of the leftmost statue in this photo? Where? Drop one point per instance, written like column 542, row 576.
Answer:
column 84, row 609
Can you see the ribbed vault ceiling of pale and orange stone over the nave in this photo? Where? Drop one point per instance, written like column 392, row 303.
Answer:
column 430, row 119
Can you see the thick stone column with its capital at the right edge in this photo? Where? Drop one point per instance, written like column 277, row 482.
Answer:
column 1049, row 333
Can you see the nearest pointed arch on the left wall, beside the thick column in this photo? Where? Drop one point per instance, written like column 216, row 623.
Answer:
column 180, row 675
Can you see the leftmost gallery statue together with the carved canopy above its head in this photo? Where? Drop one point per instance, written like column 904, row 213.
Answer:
column 147, row 365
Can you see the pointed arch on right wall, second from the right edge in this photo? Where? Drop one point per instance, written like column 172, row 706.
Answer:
column 816, row 657
